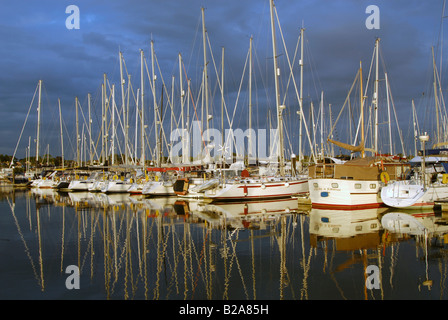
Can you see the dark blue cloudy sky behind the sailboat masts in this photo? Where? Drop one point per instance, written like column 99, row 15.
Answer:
column 37, row 45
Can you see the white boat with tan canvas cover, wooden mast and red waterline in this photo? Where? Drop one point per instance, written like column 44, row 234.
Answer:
column 355, row 184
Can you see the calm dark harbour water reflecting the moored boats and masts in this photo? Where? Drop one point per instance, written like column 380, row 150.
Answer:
column 130, row 247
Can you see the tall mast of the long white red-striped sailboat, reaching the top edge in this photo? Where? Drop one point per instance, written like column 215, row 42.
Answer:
column 277, row 93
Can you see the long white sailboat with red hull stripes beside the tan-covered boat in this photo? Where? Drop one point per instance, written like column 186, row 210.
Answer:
column 279, row 185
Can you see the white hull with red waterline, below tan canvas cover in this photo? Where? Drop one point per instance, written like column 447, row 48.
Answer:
column 345, row 194
